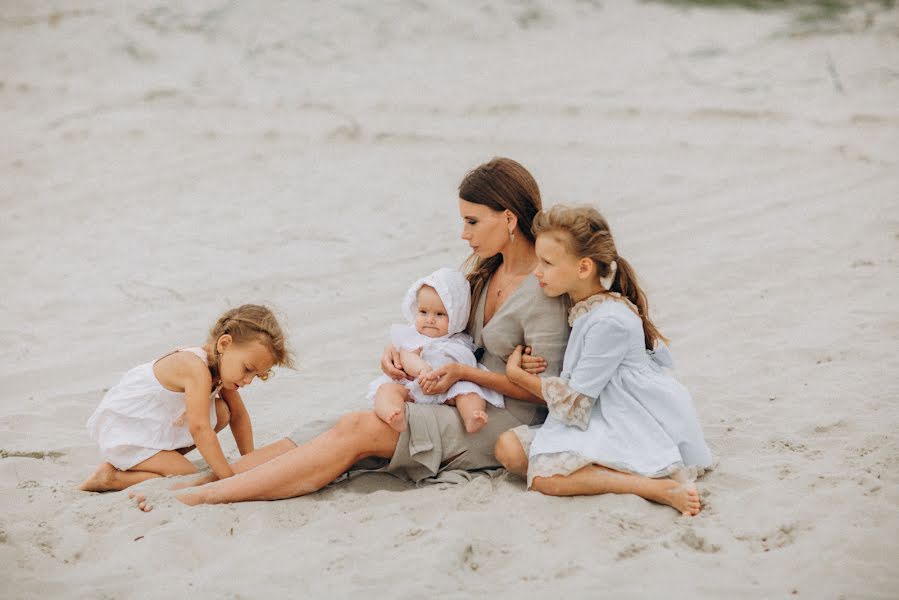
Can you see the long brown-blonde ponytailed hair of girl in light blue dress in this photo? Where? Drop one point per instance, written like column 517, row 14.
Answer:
column 586, row 234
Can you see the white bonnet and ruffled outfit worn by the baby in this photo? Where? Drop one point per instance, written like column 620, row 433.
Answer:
column 455, row 347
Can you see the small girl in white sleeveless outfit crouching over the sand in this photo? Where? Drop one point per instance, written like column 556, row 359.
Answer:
column 162, row 409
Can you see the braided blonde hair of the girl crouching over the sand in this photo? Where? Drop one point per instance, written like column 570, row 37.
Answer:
column 252, row 322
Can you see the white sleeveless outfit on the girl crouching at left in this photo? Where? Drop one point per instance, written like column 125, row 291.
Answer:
column 138, row 417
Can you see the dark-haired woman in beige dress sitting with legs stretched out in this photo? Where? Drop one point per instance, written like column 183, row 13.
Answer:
column 497, row 202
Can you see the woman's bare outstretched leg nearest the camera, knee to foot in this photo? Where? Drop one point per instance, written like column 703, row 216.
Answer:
column 306, row 468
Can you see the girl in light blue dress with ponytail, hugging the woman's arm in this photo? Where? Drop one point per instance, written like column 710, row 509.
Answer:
column 613, row 406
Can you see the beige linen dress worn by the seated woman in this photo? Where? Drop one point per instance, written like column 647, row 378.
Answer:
column 435, row 439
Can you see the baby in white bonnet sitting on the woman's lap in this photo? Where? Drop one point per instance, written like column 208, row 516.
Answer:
column 437, row 308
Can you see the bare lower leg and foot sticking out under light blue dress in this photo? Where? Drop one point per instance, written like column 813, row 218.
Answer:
column 594, row 479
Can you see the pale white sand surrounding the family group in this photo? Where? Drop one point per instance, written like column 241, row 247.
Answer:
column 163, row 162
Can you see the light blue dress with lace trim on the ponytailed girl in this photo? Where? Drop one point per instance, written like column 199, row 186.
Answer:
column 643, row 422
